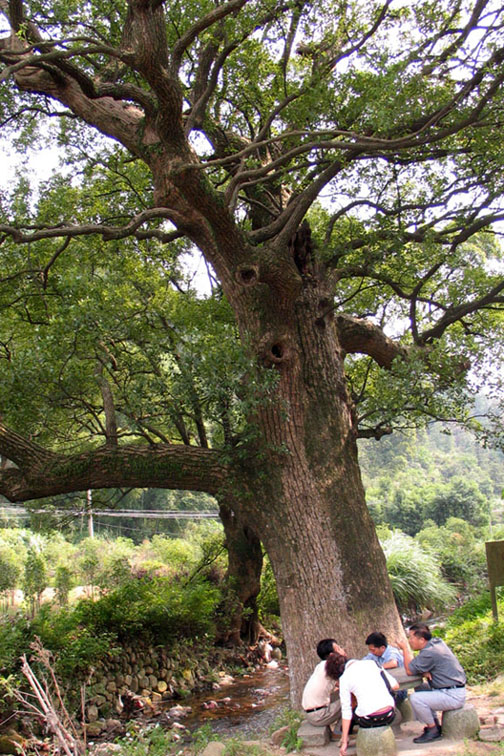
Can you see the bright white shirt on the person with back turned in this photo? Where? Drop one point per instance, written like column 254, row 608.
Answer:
column 363, row 679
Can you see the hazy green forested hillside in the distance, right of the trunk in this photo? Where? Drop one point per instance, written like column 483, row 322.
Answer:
column 431, row 474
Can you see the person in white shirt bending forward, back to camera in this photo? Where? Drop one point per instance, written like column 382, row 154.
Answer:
column 363, row 682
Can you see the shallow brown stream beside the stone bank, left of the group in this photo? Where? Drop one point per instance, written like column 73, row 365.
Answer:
column 245, row 706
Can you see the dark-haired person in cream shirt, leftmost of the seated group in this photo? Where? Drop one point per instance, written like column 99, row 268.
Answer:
column 320, row 698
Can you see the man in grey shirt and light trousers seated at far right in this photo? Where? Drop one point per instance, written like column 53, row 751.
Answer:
column 446, row 676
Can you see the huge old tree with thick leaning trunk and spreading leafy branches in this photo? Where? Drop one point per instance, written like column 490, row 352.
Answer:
column 333, row 162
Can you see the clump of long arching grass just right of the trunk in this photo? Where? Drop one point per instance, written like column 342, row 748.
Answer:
column 417, row 582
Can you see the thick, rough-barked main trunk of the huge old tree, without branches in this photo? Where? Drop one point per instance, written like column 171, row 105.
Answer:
column 307, row 500
